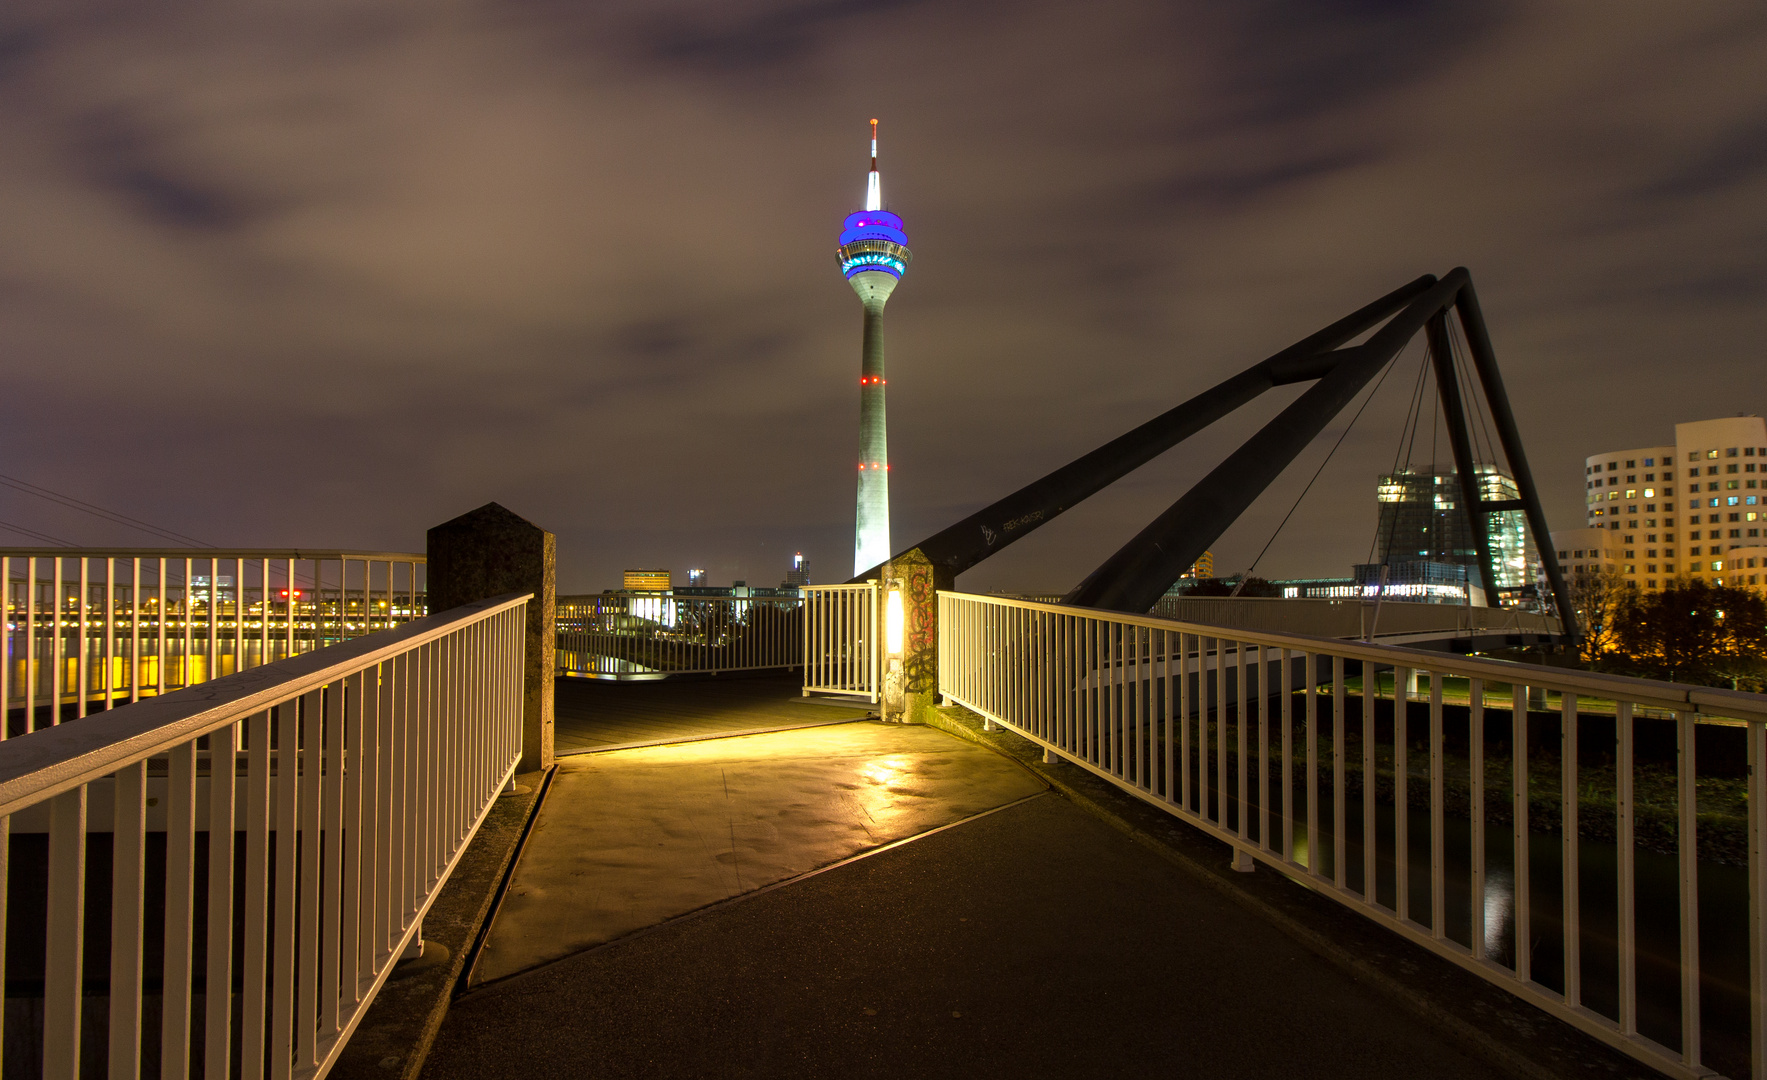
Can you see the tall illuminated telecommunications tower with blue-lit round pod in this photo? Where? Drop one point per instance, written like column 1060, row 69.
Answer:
column 874, row 257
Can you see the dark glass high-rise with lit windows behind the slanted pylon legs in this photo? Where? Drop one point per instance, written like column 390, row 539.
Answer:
column 1425, row 540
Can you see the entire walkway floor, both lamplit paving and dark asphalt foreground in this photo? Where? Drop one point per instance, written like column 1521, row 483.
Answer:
column 883, row 901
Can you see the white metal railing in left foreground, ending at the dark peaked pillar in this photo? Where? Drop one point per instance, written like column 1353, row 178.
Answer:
column 349, row 779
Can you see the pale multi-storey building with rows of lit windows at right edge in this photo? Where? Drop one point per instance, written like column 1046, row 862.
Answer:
column 1685, row 510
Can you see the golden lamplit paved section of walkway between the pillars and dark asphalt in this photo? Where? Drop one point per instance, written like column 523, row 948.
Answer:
column 632, row 839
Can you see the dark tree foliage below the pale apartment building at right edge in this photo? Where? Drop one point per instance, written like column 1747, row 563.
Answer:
column 1697, row 632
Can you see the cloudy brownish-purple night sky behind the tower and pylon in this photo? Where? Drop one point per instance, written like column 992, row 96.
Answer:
column 326, row 275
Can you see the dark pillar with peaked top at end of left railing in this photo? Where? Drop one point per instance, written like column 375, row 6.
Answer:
column 490, row 552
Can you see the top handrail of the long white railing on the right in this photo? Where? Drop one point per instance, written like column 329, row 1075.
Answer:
column 1681, row 697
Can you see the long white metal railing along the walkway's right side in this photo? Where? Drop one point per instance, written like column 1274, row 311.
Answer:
column 1374, row 775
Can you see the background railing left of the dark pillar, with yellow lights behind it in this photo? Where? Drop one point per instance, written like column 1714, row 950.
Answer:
column 95, row 628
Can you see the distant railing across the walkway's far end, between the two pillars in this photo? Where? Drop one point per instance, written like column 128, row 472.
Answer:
column 672, row 634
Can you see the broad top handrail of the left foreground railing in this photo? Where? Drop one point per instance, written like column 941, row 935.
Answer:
column 57, row 759
